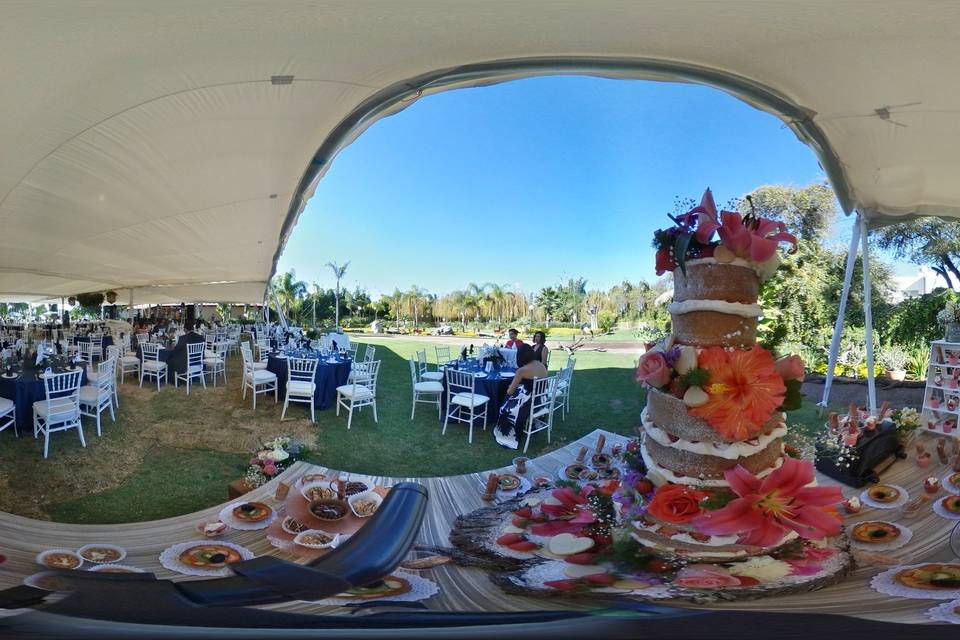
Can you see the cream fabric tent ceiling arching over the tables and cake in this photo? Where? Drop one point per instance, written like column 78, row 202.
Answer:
column 143, row 145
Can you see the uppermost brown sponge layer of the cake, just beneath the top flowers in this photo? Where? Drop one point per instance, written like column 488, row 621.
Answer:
column 707, row 279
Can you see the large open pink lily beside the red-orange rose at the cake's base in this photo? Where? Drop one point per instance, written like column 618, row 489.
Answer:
column 769, row 508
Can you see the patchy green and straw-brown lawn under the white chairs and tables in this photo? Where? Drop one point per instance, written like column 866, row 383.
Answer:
column 170, row 454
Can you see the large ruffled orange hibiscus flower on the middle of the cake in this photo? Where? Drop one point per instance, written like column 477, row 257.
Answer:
column 744, row 390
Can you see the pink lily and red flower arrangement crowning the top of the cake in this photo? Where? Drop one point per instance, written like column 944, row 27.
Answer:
column 746, row 238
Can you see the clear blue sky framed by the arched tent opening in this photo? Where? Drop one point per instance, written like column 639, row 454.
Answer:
column 530, row 182
